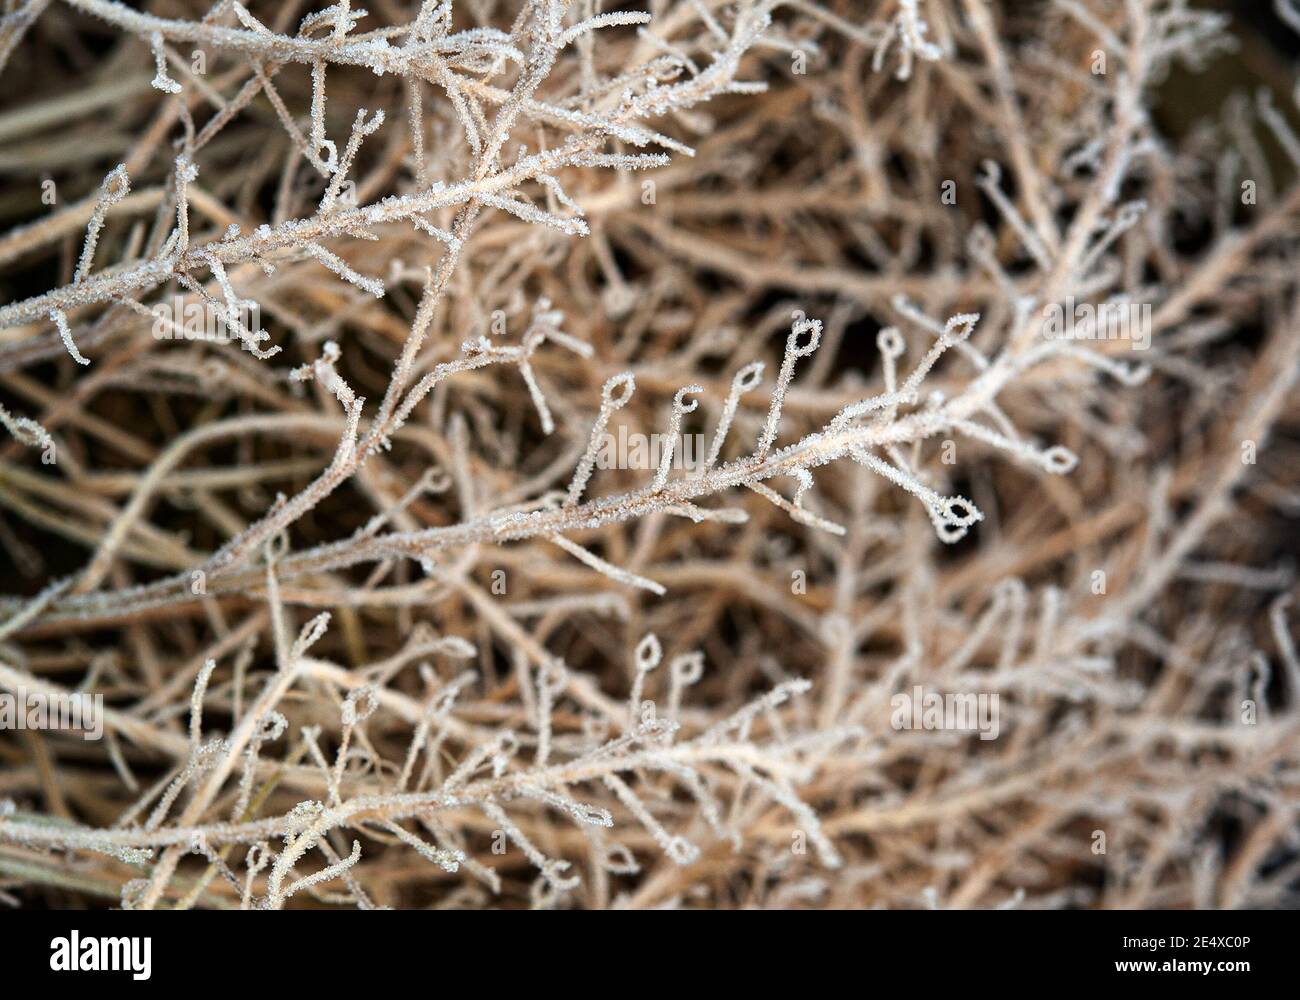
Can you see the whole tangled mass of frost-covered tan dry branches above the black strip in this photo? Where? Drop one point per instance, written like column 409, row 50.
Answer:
column 375, row 622
